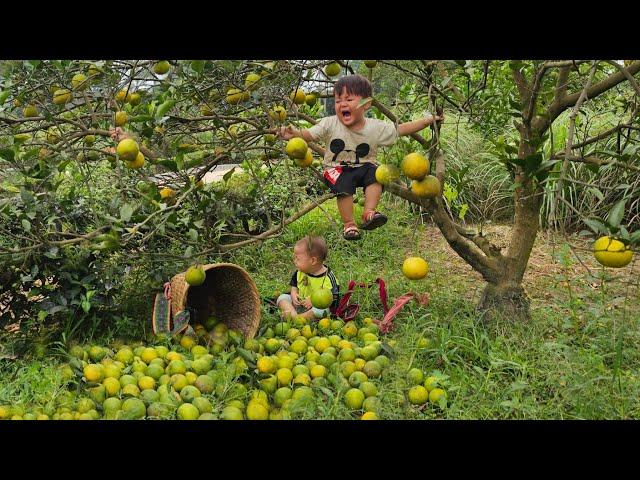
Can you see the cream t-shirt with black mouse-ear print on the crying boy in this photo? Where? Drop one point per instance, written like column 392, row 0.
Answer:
column 373, row 134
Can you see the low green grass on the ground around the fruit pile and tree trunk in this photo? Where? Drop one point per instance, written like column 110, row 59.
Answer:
column 577, row 358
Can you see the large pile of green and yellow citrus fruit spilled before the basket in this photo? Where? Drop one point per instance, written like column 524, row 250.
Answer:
column 217, row 374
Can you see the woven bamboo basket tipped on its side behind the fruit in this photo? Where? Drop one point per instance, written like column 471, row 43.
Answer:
column 228, row 293
